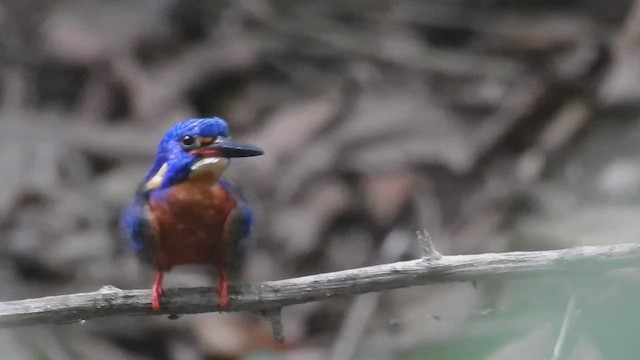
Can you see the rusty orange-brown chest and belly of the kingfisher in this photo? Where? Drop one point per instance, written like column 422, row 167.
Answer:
column 189, row 223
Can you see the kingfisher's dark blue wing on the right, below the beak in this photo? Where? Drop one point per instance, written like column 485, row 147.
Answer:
column 237, row 230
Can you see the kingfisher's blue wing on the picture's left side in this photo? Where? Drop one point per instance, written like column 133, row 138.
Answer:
column 136, row 226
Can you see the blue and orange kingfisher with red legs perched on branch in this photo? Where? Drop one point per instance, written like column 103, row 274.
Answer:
column 183, row 212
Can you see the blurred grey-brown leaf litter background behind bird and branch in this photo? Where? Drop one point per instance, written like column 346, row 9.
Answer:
column 498, row 125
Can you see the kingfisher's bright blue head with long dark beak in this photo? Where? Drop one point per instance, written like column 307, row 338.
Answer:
column 193, row 148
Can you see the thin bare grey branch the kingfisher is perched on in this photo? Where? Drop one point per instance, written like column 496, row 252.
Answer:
column 273, row 295
